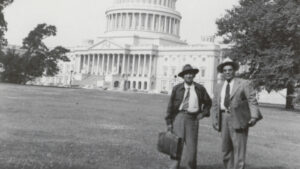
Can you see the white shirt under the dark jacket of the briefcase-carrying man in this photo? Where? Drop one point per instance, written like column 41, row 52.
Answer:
column 193, row 100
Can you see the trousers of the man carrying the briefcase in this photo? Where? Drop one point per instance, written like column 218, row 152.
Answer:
column 186, row 126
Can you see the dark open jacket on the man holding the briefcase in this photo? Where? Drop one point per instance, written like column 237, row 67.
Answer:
column 176, row 98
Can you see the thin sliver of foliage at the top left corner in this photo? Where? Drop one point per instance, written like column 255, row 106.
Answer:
column 3, row 24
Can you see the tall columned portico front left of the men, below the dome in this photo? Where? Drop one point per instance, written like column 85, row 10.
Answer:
column 128, row 71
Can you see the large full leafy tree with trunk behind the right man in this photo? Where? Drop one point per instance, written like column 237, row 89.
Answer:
column 264, row 35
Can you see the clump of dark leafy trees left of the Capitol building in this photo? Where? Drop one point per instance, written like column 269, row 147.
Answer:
column 35, row 58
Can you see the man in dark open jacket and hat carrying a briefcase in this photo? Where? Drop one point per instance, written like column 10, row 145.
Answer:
column 189, row 102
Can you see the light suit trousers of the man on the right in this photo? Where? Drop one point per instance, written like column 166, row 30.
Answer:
column 234, row 144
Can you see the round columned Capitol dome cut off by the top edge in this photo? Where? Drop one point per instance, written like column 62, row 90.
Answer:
column 154, row 19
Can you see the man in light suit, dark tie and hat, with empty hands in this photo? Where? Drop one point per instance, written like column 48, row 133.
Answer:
column 234, row 110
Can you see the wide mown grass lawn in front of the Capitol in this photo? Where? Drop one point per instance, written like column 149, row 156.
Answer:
column 56, row 128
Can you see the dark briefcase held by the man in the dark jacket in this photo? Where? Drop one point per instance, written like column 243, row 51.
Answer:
column 170, row 144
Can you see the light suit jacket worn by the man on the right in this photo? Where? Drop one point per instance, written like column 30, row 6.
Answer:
column 243, row 105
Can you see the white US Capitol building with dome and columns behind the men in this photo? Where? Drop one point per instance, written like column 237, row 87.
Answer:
column 141, row 50
